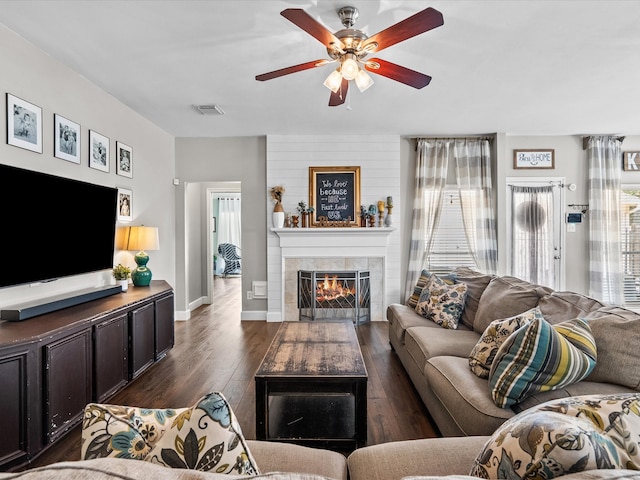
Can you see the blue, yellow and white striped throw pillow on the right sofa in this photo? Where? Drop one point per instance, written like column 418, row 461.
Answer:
column 540, row 357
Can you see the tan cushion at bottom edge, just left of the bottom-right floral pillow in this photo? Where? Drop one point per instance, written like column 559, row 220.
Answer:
column 430, row 456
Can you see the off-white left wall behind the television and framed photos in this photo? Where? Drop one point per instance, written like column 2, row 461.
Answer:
column 35, row 77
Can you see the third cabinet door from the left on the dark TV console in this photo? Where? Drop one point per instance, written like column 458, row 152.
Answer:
column 111, row 347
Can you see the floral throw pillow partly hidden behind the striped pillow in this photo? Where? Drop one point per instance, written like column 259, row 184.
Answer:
column 482, row 355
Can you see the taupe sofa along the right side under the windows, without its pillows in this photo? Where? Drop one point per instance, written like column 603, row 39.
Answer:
column 437, row 359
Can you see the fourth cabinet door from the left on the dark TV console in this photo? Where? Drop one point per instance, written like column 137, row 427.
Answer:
column 142, row 332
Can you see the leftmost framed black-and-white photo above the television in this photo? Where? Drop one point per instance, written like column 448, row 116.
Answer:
column 24, row 124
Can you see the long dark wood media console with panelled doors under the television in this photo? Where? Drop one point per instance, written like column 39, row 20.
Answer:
column 52, row 365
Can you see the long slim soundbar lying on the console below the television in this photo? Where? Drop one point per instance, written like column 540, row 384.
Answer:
column 23, row 311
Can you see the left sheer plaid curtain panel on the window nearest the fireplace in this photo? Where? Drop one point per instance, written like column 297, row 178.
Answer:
column 432, row 163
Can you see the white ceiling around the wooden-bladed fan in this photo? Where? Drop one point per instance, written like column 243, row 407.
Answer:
column 518, row 67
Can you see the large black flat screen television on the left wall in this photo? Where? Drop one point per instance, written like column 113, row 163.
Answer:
column 54, row 227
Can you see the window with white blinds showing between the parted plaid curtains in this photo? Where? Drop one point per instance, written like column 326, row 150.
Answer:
column 450, row 248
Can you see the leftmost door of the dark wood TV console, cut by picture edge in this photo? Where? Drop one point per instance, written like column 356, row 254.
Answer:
column 14, row 421
